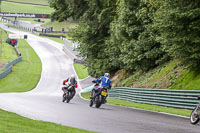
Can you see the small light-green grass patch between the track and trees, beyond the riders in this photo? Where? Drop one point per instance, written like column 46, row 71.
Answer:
column 81, row 71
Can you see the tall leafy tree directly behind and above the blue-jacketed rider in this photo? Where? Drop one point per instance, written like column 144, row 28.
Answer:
column 92, row 33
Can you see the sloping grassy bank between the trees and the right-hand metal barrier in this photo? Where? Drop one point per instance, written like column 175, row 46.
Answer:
column 171, row 75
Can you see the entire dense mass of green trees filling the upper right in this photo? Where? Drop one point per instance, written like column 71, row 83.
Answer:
column 135, row 36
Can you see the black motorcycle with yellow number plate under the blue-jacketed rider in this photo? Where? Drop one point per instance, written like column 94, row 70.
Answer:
column 99, row 96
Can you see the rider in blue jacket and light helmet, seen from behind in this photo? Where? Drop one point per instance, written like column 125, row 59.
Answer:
column 104, row 81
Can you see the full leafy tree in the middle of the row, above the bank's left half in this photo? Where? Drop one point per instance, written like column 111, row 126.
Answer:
column 136, row 37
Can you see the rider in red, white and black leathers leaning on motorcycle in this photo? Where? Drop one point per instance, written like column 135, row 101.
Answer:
column 68, row 82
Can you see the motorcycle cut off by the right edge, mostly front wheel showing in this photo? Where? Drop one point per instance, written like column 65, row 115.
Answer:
column 195, row 114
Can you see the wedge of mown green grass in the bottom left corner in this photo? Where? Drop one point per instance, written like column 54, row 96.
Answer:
column 13, row 123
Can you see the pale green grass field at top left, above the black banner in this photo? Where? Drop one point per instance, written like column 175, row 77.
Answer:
column 24, row 8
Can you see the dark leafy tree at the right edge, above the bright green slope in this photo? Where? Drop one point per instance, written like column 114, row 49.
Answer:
column 178, row 22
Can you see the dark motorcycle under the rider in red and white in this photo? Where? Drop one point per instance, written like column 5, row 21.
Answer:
column 69, row 93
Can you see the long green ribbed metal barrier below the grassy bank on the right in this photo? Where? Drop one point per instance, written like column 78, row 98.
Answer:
column 185, row 99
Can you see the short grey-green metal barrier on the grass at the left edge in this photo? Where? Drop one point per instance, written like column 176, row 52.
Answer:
column 8, row 67
